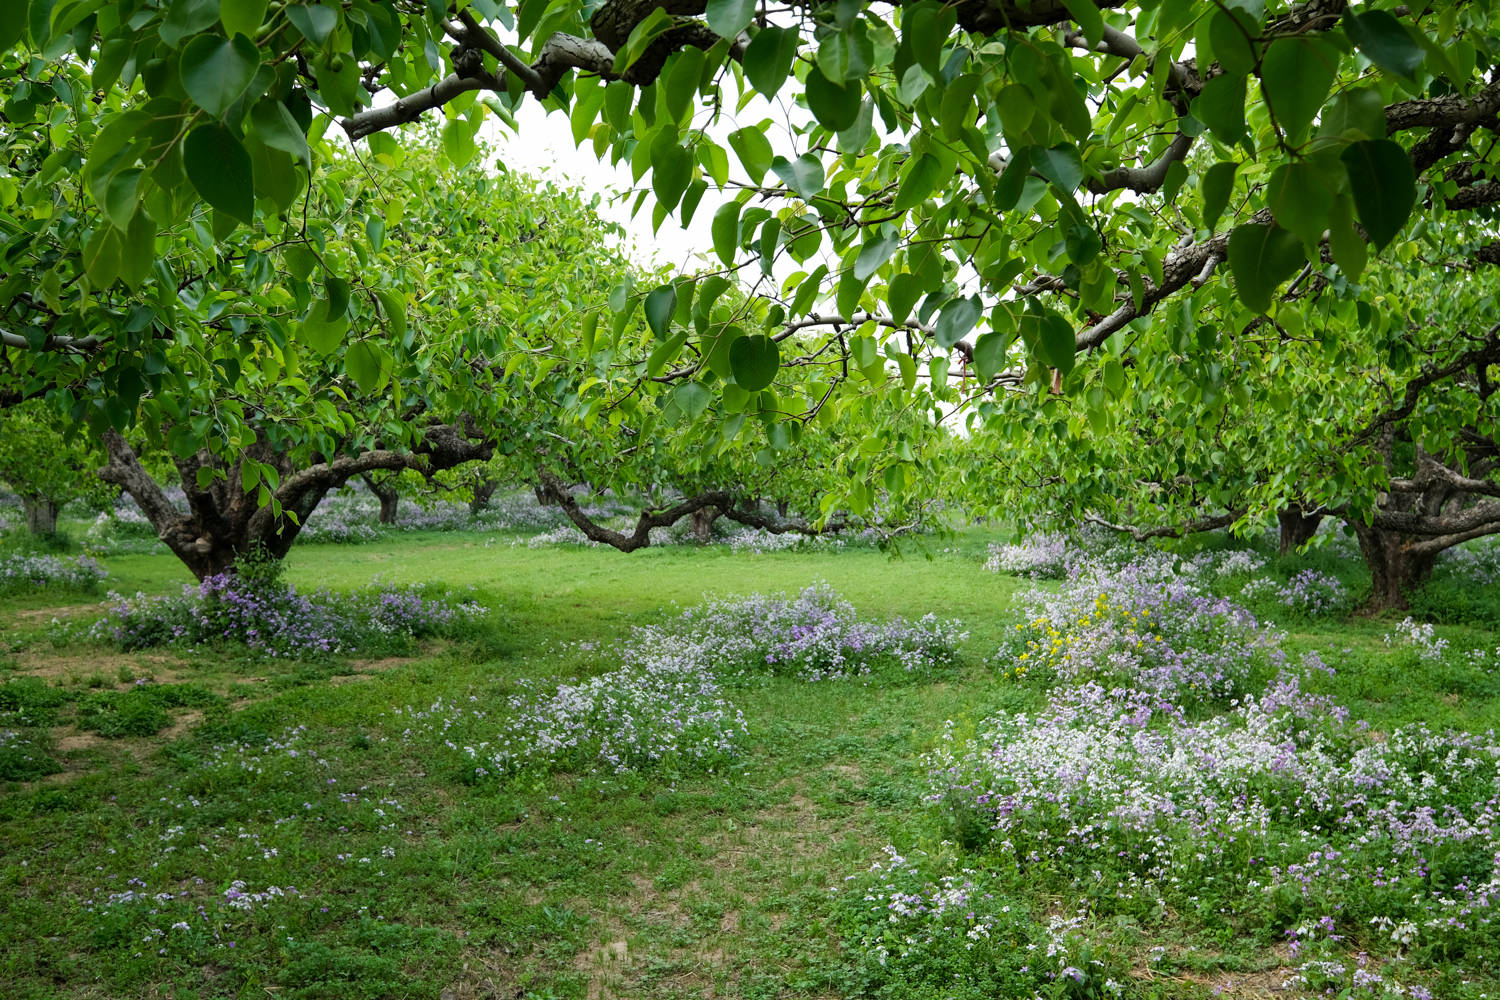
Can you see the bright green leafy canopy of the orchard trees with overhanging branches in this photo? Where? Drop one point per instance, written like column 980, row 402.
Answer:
column 1169, row 262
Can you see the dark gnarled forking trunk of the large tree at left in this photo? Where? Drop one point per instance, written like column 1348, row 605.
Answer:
column 224, row 521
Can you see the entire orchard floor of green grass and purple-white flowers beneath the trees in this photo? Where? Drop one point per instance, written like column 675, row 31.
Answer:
column 500, row 761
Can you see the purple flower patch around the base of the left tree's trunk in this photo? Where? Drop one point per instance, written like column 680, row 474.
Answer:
column 281, row 623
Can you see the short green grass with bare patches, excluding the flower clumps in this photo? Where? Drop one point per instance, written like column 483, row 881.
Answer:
column 395, row 878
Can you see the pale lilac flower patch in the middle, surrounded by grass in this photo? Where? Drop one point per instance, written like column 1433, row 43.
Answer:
column 665, row 705
